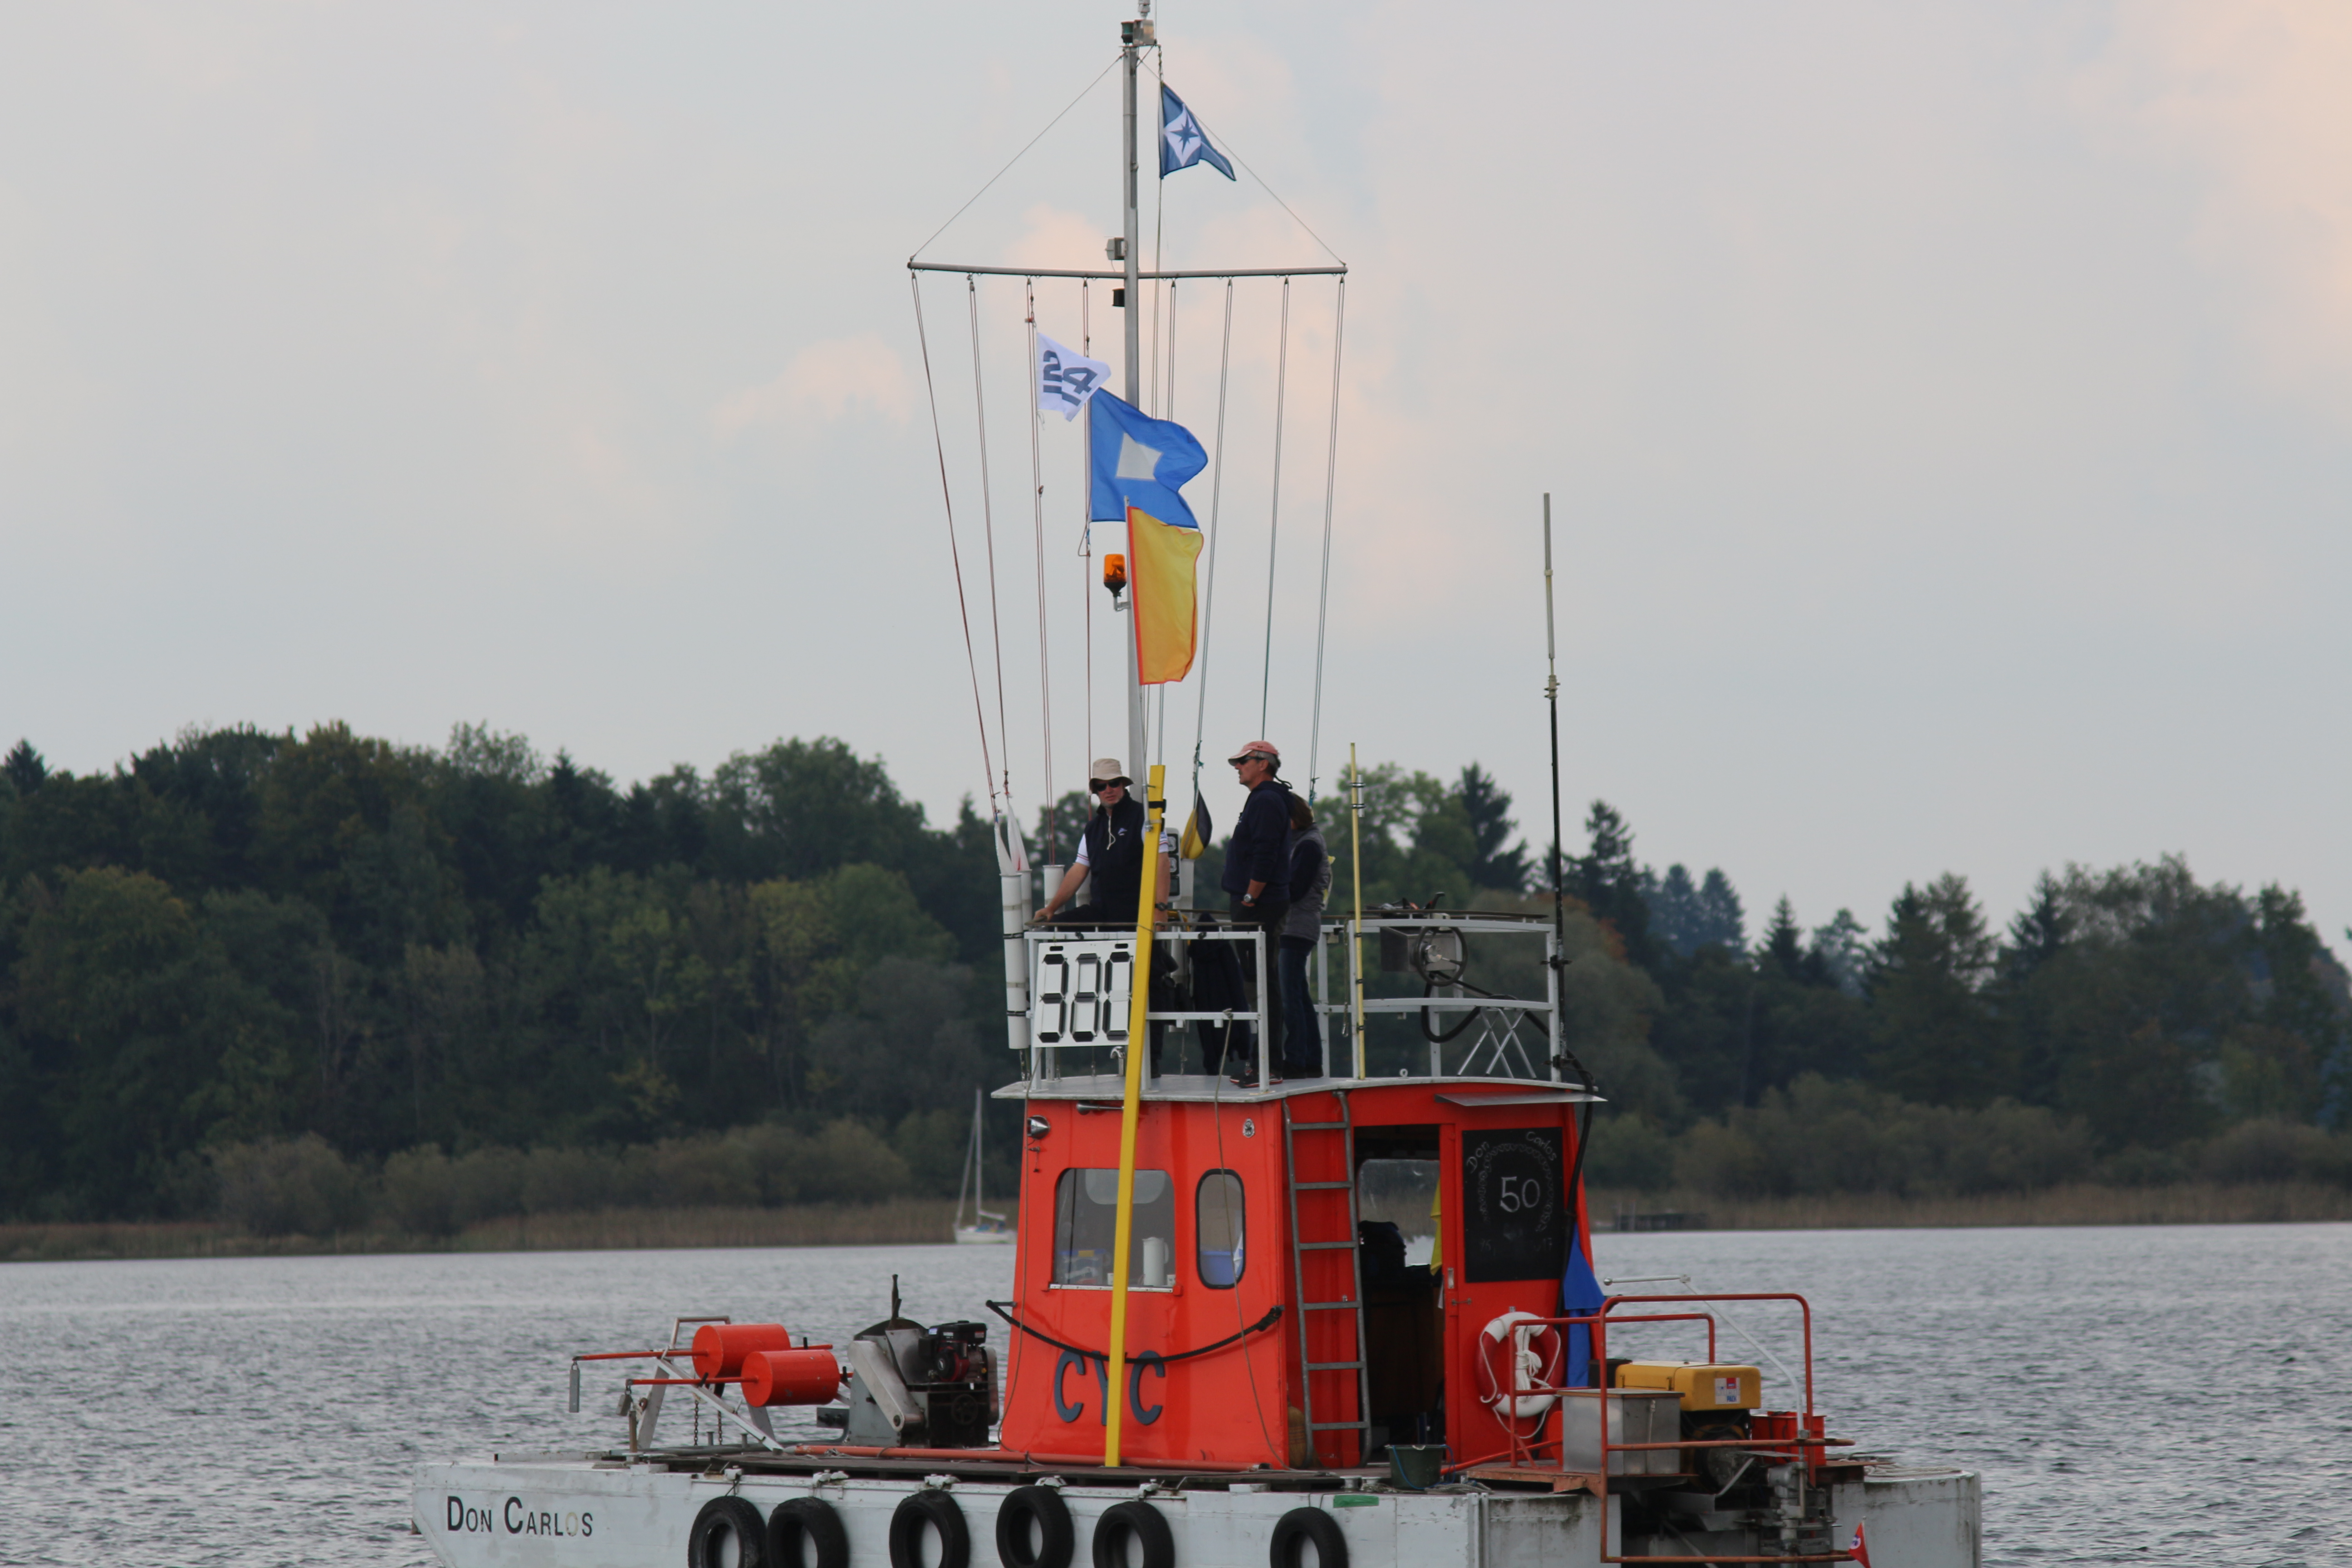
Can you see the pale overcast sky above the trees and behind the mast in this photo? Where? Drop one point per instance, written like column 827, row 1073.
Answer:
column 1946, row 406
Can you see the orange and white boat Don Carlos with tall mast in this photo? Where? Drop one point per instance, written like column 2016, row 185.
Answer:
column 1344, row 1318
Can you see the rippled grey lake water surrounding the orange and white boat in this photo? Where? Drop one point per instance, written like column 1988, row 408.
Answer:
column 2130, row 1395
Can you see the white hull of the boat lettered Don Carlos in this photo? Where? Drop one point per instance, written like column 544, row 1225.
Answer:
column 582, row 1513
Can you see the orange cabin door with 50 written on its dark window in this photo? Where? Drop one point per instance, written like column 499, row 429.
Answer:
column 1506, row 1242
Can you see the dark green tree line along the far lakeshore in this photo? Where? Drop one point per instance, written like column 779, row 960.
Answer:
column 243, row 942
